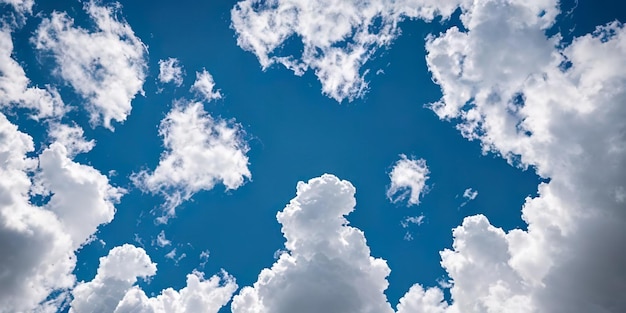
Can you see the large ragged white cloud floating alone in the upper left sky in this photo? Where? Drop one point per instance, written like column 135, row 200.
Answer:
column 107, row 67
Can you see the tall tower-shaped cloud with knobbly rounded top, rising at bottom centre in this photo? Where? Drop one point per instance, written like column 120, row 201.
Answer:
column 327, row 266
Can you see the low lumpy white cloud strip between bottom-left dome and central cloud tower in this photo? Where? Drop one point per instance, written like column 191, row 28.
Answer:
column 199, row 296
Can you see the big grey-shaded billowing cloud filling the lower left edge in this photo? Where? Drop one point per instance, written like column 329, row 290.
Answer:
column 43, row 238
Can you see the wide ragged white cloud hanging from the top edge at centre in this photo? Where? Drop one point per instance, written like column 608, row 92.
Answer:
column 338, row 37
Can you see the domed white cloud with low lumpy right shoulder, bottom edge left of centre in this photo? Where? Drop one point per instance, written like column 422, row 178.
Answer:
column 114, row 290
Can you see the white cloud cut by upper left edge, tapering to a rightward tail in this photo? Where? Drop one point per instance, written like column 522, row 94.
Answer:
column 14, row 85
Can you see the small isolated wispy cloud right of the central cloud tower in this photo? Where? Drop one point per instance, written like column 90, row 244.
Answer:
column 408, row 180
